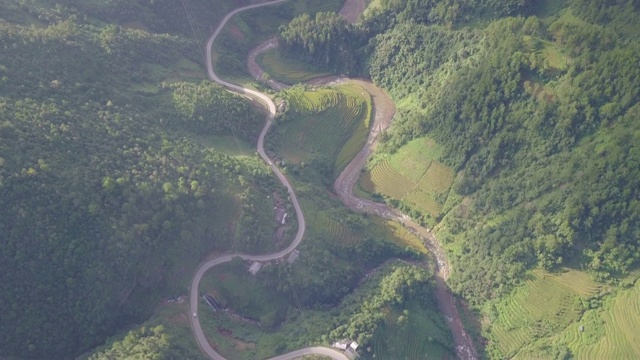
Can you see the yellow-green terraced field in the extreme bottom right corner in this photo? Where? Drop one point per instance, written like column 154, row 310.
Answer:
column 619, row 336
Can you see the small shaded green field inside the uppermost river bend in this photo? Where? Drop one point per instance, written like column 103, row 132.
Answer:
column 285, row 70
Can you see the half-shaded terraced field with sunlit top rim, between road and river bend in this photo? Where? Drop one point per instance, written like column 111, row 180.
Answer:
column 330, row 124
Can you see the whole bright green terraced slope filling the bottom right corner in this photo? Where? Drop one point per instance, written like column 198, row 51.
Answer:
column 566, row 312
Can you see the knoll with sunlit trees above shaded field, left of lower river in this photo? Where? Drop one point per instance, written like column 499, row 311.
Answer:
column 394, row 321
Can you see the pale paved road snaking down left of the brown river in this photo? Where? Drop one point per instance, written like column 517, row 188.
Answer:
column 195, row 322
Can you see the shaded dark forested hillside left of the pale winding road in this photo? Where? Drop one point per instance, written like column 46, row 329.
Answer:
column 106, row 189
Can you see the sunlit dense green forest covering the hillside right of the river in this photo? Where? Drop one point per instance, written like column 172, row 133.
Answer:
column 537, row 113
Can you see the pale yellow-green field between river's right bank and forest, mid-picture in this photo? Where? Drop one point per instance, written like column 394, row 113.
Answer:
column 412, row 175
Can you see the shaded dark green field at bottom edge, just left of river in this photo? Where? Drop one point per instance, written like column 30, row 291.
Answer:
column 419, row 336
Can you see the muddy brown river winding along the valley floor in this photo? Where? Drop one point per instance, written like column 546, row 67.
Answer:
column 384, row 111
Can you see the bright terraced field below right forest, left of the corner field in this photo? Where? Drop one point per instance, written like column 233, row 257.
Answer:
column 544, row 306
